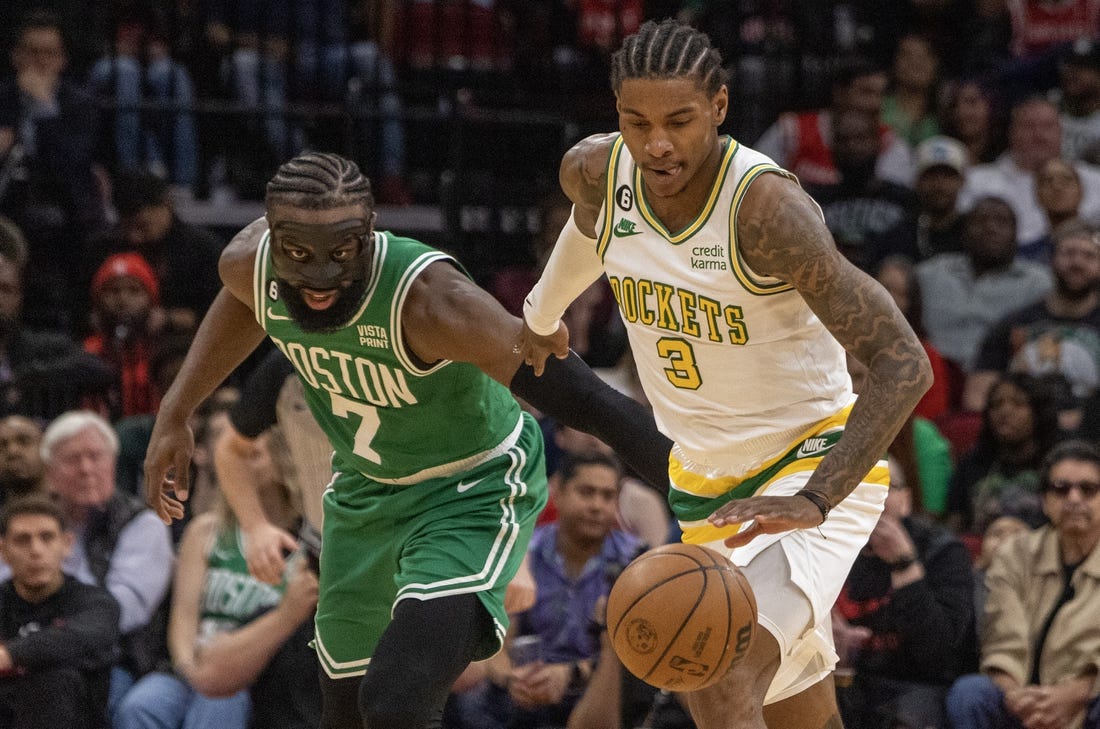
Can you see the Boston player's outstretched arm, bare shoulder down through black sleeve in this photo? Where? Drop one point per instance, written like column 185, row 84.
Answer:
column 447, row 317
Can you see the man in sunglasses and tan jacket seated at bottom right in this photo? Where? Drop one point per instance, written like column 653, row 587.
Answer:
column 1041, row 638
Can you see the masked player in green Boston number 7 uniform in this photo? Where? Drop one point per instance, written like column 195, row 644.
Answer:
column 438, row 476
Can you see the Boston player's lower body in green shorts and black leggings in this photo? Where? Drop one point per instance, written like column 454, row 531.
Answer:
column 415, row 590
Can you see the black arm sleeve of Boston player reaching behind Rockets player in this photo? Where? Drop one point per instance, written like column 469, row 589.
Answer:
column 574, row 395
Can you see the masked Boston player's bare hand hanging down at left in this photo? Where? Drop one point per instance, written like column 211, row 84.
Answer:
column 168, row 468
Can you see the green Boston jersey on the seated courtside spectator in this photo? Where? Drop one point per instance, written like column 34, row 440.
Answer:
column 230, row 595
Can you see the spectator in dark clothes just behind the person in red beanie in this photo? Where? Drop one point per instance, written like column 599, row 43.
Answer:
column 184, row 257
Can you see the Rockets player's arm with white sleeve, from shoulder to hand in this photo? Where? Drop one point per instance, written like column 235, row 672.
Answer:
column 575, row 264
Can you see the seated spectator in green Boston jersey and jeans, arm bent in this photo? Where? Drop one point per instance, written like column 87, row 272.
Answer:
column 225, row 626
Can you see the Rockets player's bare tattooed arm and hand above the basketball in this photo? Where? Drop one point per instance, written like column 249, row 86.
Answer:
column 782, row 234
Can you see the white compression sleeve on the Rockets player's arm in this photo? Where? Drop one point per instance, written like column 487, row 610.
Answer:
column 574, row 267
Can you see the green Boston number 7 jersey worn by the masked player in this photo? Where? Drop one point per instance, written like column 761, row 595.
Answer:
column 389, row 417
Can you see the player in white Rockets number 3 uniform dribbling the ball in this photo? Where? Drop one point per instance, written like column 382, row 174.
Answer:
column 739, row 310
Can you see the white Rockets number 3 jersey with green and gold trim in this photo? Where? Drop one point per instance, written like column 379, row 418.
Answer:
column 735, row 364
